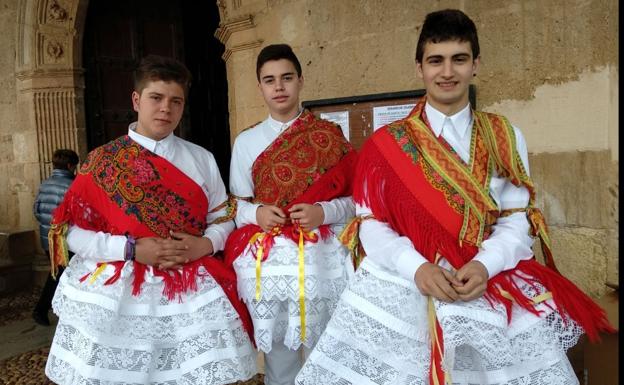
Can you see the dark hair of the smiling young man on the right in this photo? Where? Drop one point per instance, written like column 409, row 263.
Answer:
column 446, row 25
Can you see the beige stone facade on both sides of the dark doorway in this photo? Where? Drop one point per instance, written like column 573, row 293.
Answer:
column 550, row 66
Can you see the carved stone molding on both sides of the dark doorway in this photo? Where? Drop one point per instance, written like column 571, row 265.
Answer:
column 50, row 75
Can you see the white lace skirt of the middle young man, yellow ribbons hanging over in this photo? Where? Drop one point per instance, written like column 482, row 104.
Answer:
column 276, row 316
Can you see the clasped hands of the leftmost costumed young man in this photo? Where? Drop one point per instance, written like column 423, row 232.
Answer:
column 173, row 252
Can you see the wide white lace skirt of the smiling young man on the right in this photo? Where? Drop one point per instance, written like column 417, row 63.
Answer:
column 379, row 335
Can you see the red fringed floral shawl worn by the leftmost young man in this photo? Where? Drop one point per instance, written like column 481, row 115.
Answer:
column 124, row 189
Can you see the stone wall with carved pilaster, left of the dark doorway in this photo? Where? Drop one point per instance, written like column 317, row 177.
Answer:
column 41, row 101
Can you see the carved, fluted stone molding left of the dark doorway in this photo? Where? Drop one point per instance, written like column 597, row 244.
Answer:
column 49, row 76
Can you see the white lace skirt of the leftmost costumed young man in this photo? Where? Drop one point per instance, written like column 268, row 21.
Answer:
column 107, row 336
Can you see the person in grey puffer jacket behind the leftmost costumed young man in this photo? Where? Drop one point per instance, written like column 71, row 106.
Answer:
column 50, row 194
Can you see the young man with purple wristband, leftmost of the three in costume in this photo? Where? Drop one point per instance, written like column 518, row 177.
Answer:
column 143, row 300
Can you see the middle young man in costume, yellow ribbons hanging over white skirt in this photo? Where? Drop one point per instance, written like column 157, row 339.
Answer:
column 291, row 178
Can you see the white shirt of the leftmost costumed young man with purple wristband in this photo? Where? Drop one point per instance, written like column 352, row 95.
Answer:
column 194, row 161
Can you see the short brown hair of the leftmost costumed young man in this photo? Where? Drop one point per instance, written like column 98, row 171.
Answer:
column 155, row 67
